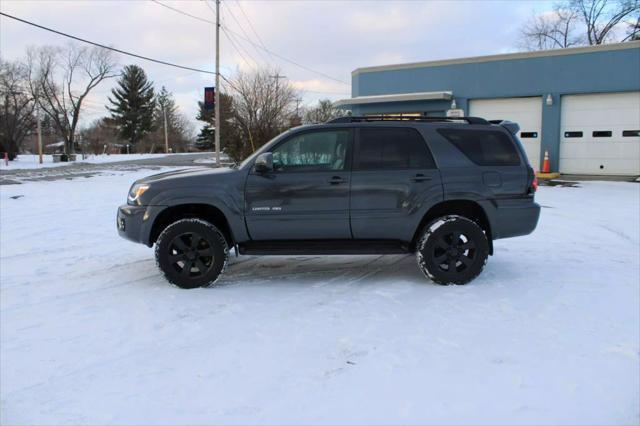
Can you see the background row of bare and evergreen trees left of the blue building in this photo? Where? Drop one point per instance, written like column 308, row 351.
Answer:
column 57, row 81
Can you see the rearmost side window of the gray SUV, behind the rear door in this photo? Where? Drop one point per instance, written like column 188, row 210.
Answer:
column 484, row 147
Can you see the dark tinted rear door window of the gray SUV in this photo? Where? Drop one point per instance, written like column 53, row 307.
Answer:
column 392, row 148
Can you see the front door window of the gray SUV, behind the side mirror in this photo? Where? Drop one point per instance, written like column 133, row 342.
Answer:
column 315, row 151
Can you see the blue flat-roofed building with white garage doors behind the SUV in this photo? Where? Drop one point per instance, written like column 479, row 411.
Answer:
column 582, row 105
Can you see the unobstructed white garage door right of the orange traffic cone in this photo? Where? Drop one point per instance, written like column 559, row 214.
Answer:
column 600, row 134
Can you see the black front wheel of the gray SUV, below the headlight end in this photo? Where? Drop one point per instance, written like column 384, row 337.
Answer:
column 191, row 253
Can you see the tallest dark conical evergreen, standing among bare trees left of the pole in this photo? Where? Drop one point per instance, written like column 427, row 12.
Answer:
column 133, row 104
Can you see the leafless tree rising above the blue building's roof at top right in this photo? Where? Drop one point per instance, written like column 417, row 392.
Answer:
column 577, row 22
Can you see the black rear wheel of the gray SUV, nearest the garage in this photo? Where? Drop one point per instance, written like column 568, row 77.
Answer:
column 452, row 250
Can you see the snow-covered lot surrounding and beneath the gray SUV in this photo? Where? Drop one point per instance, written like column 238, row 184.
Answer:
column 91, row 334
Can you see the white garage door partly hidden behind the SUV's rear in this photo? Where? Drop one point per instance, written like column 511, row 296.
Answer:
column 527, row 112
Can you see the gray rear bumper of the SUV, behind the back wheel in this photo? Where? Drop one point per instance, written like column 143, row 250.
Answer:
column 513, row 218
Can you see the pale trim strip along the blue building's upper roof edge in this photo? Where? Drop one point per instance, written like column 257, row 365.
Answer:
column 502, row 57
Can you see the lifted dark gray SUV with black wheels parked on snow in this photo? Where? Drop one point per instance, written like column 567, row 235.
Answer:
column 441, row 188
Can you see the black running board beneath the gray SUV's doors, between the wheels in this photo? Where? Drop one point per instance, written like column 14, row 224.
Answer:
column 327, row 247
